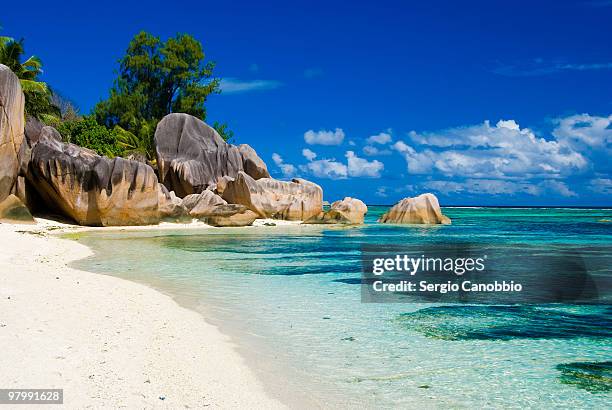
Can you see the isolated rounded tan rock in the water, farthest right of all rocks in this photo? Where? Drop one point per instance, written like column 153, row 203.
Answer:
column 423, row 209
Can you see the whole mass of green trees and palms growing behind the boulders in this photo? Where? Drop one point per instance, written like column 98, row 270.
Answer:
column 155, row 78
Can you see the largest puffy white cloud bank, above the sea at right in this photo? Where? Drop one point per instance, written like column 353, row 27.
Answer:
column 484, row 151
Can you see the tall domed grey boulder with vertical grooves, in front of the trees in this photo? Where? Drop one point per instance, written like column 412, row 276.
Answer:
column 192, row 156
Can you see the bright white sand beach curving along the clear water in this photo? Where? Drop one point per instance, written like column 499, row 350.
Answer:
column 106, row 341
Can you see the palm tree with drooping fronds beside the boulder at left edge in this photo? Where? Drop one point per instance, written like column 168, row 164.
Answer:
column 37, row 93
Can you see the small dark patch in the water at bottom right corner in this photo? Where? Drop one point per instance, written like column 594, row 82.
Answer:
column 595, row 377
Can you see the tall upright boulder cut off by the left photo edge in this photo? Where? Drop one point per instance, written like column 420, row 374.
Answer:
column 12, row 123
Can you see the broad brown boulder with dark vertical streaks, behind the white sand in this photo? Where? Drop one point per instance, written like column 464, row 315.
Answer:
column 93, row 190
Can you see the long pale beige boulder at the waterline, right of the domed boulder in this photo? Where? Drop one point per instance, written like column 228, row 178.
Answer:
column 297, row 200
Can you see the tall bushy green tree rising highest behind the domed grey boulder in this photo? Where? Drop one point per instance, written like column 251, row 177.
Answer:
column 156, row 78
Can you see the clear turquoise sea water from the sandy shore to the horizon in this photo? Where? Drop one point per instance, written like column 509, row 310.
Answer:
column 291, row 297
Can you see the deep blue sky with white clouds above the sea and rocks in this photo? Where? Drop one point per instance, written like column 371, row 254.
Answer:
column 480, row 102
